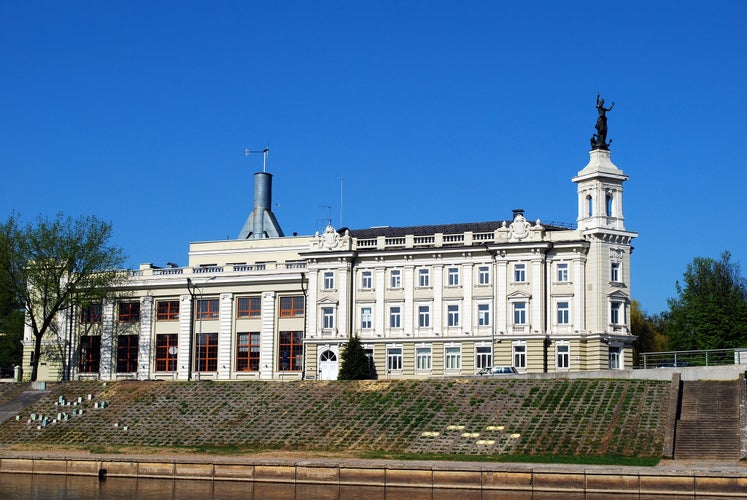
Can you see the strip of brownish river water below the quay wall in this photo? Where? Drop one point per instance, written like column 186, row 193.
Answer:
column 35, row 486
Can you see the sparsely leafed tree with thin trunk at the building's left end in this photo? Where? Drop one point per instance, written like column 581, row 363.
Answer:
column 50, row 265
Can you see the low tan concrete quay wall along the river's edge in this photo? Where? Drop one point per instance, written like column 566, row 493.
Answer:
column 653, row 482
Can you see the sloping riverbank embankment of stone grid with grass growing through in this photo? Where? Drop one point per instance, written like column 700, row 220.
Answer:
column 445, row 416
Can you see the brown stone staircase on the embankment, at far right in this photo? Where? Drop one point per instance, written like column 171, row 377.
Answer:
column 707, row 426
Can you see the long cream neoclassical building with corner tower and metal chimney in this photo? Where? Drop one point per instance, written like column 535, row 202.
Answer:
column 425, row 301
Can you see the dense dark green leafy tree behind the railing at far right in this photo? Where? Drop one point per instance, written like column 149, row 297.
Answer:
column 710, row 310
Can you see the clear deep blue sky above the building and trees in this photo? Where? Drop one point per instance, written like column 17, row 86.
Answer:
column 431, row 111
